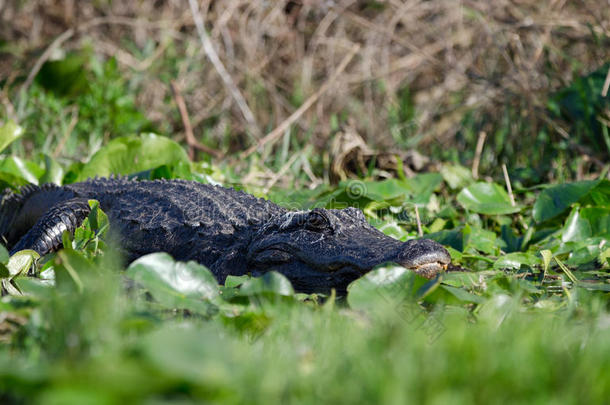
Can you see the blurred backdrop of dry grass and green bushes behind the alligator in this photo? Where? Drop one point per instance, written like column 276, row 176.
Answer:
column 427, row 76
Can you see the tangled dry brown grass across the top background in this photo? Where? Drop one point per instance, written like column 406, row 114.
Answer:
column 454, row 56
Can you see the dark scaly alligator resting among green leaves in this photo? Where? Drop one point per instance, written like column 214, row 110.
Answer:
column 228, row 231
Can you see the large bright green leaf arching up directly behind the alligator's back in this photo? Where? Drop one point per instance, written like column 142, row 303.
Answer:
column 131, row 154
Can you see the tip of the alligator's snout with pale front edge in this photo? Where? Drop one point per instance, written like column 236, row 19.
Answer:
column 424, row 256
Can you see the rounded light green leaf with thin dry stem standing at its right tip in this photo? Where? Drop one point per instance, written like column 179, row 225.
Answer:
column 486, row 198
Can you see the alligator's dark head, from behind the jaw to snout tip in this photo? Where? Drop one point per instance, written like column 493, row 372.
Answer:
column 322, row 249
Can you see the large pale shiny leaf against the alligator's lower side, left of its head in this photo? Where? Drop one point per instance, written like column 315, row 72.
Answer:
column 175, row 284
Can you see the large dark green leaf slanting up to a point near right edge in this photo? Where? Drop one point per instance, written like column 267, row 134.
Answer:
column 556, row 199
